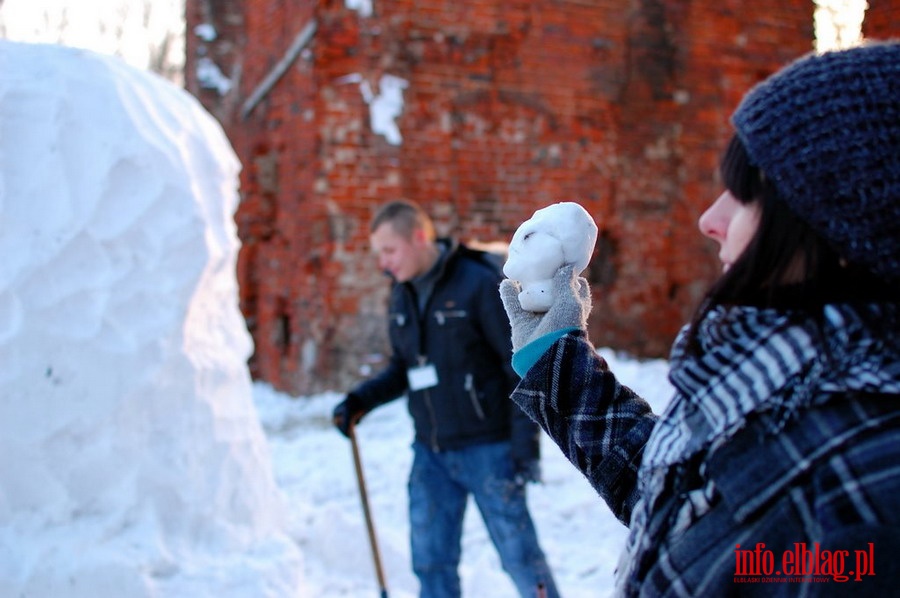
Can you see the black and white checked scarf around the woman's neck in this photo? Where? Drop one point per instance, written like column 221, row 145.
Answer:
column 754, row 360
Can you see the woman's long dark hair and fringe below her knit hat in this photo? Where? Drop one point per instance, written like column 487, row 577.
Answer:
column 786, row 265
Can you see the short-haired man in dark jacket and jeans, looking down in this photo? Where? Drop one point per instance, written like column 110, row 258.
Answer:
column 451, row 353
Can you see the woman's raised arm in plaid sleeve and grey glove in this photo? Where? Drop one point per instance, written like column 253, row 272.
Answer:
column 567, row 388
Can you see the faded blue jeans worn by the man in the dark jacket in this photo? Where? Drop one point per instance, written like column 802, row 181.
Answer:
column 439, row 486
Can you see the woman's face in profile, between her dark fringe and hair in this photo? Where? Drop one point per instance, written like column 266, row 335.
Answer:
column 731, row 224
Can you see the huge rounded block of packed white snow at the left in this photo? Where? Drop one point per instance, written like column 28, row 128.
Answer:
column 133, row 462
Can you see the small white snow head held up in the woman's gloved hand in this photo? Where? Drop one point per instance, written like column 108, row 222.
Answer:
column 560, row 234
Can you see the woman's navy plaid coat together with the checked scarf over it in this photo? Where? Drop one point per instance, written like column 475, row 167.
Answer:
column 793, row 453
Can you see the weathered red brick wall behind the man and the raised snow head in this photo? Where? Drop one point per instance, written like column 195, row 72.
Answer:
column 509, row 106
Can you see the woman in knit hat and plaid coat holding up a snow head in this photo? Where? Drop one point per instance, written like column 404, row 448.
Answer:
column 775, row 469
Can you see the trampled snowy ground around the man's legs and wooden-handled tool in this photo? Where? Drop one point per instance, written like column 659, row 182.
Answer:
column 313, row 465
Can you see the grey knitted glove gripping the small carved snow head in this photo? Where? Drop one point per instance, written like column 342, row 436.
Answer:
column 571, row 307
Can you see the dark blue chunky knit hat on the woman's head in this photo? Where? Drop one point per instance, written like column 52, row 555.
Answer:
column 826, row 131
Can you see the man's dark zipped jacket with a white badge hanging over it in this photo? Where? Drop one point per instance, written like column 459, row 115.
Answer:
column 464, row 332
